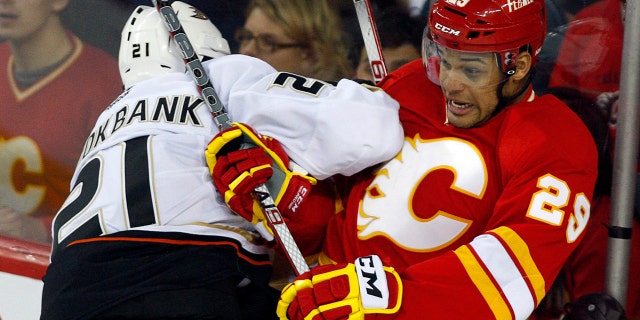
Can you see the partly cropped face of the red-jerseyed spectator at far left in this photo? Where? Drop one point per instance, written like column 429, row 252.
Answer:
column 24, row 19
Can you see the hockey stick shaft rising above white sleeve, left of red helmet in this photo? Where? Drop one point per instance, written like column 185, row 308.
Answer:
column 371, row 40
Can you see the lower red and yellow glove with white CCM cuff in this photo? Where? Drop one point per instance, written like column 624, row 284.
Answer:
column 343, row 291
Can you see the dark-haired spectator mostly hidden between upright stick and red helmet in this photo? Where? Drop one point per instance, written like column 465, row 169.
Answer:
column 400, row 38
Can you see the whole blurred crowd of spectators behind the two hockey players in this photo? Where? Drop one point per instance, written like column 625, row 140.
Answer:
column 59, row 71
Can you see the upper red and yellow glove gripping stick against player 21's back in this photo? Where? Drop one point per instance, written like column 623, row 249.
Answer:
column 238, row 170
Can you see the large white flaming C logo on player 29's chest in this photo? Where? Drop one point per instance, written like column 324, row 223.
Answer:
column 387, row 209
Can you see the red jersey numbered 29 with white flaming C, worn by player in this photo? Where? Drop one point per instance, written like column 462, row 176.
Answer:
column 477, row 221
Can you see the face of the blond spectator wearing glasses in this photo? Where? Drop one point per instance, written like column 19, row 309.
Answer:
column 266, row 40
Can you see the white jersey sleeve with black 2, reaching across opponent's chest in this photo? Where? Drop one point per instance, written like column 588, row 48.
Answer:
column 326, row 129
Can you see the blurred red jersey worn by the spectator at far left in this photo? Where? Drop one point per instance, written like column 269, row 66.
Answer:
column 43, row 127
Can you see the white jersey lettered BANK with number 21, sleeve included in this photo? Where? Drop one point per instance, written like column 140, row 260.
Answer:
column 143, row 166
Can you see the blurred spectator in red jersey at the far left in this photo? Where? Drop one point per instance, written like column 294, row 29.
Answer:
column 52, row 88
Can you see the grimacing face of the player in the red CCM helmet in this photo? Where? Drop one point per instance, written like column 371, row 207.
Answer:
column 469, row 82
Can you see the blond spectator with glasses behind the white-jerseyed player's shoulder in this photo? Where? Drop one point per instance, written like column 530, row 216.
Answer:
column 301, row 37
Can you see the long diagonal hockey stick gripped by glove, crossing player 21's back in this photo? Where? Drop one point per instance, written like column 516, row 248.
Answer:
column 222, row 120
